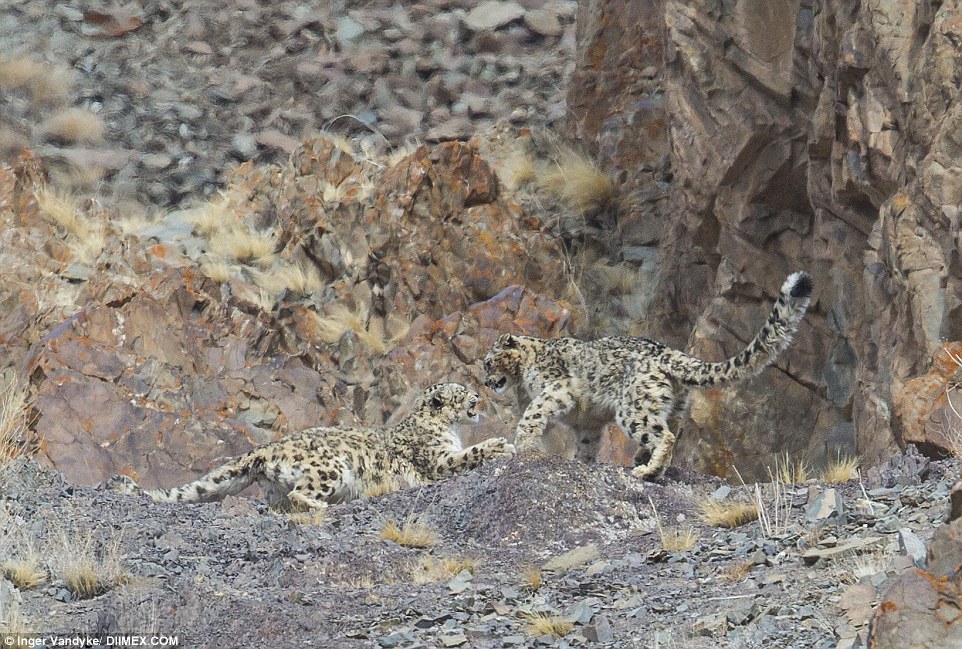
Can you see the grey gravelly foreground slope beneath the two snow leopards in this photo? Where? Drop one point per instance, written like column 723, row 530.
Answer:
column 568, row 541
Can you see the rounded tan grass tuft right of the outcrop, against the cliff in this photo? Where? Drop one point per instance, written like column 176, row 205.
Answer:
column 577, row 182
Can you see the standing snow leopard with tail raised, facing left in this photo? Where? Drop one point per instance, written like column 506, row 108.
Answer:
column 642, row 381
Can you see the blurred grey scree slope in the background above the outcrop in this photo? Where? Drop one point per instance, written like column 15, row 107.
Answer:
column 183, row 90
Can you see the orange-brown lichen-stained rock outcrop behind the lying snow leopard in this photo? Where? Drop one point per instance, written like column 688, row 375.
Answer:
column 176, row 345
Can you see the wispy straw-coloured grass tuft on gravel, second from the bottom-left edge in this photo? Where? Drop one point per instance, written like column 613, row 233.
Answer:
column 86, row 570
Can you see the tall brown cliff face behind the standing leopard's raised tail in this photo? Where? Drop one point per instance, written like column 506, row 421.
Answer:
column 799, row 135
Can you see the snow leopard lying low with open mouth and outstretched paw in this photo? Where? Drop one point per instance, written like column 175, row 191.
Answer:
column 318, row 466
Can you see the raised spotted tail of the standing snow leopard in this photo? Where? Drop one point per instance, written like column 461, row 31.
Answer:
column 771, row 340
